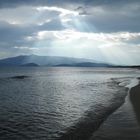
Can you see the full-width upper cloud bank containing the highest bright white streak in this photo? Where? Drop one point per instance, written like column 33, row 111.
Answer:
column 94, row 16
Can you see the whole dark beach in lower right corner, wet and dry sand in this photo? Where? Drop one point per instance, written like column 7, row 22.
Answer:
column 124, row 123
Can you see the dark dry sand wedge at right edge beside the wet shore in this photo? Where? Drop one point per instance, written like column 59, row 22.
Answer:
column 135, row 99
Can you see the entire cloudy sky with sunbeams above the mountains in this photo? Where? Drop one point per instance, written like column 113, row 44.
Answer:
column 103, row 30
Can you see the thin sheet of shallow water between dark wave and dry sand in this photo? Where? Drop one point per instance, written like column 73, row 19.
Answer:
column 121, row 125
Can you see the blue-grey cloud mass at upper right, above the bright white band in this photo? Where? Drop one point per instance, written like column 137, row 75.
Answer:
column 106, row 19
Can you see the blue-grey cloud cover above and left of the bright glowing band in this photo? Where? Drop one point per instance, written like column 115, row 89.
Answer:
column 19, row 19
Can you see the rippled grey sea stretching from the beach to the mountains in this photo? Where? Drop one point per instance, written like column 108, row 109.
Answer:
column 58, row 103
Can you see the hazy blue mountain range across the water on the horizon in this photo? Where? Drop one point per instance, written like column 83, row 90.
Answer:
column 35, row 60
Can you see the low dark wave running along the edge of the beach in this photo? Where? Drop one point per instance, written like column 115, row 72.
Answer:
column 95, row 116
